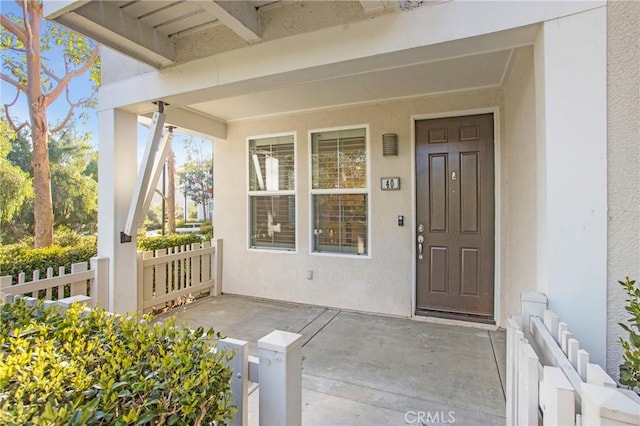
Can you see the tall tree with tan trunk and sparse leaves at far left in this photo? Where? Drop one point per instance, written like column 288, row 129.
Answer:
column 26, row 42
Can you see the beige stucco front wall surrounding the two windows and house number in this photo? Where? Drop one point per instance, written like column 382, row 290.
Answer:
column 381, row 283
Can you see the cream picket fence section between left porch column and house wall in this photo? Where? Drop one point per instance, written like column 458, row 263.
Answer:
column 166, row 275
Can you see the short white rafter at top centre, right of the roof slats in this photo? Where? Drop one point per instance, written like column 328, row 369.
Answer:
column 240, row 16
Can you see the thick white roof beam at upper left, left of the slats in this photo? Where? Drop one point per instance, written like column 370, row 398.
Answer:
column 136, row 34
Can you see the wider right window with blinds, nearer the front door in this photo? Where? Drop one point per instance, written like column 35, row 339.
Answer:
column 340, row 191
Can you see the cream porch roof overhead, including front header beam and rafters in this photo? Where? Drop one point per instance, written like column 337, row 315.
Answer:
column 345, row 58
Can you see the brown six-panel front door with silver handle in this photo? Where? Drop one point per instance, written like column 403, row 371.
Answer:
column 455, row 216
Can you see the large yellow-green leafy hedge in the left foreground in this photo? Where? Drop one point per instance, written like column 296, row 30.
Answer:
column 94, row 368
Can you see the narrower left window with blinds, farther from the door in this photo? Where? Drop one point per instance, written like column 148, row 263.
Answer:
column 272, row 204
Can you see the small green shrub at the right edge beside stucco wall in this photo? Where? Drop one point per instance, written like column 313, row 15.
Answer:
column 630, row 368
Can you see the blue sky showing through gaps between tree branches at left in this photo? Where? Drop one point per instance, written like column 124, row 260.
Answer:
column 80, row 87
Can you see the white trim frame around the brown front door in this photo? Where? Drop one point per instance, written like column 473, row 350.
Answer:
column 497, row 284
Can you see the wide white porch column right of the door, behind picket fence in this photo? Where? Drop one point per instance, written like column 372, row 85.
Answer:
column 571, row 108
